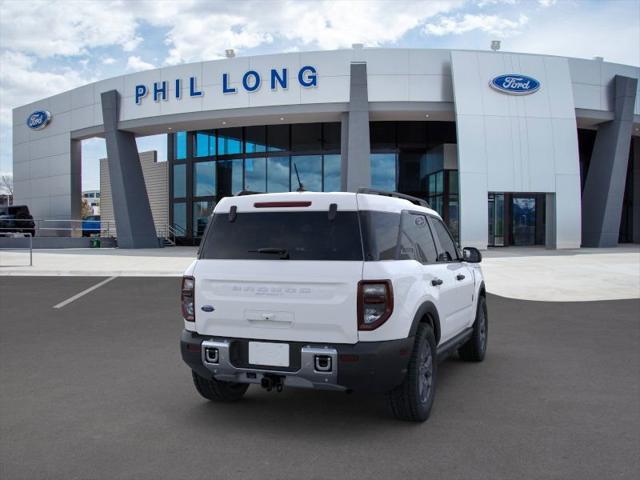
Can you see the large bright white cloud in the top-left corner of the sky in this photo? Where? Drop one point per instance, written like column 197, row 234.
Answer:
column 66, row 28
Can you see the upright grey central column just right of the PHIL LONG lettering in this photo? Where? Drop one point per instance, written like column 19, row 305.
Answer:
column 356, row 164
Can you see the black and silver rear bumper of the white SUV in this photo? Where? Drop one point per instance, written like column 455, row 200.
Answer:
column 363, row 367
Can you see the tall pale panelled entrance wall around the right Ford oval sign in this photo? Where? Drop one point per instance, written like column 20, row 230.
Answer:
column 510, row 143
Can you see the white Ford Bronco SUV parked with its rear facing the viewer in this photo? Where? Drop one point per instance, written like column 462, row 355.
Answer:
column 341, row 291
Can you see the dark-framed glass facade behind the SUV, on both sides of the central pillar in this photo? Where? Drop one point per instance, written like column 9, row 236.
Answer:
column 208, row 165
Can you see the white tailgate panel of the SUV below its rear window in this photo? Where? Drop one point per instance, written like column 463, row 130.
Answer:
column 307, row 301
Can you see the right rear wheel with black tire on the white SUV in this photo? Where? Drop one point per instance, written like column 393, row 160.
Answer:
column 413, row 398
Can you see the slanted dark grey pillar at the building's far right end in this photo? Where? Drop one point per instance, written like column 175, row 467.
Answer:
column 604, row 188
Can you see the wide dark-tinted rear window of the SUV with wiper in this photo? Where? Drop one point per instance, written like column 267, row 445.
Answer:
column 302, row 235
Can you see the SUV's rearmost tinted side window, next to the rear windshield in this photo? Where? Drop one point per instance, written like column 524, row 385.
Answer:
column 380, row 235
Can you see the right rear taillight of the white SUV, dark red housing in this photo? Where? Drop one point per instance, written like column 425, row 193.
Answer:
column 375, row 303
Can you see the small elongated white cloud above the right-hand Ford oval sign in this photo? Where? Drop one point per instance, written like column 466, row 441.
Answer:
column 491, row 24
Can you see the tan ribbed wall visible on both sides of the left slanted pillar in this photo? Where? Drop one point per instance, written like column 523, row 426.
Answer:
column 156, row 179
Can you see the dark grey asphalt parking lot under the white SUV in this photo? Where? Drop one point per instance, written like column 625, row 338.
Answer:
column 97, row 390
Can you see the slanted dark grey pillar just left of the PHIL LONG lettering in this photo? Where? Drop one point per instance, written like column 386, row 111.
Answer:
column 131, row 209
